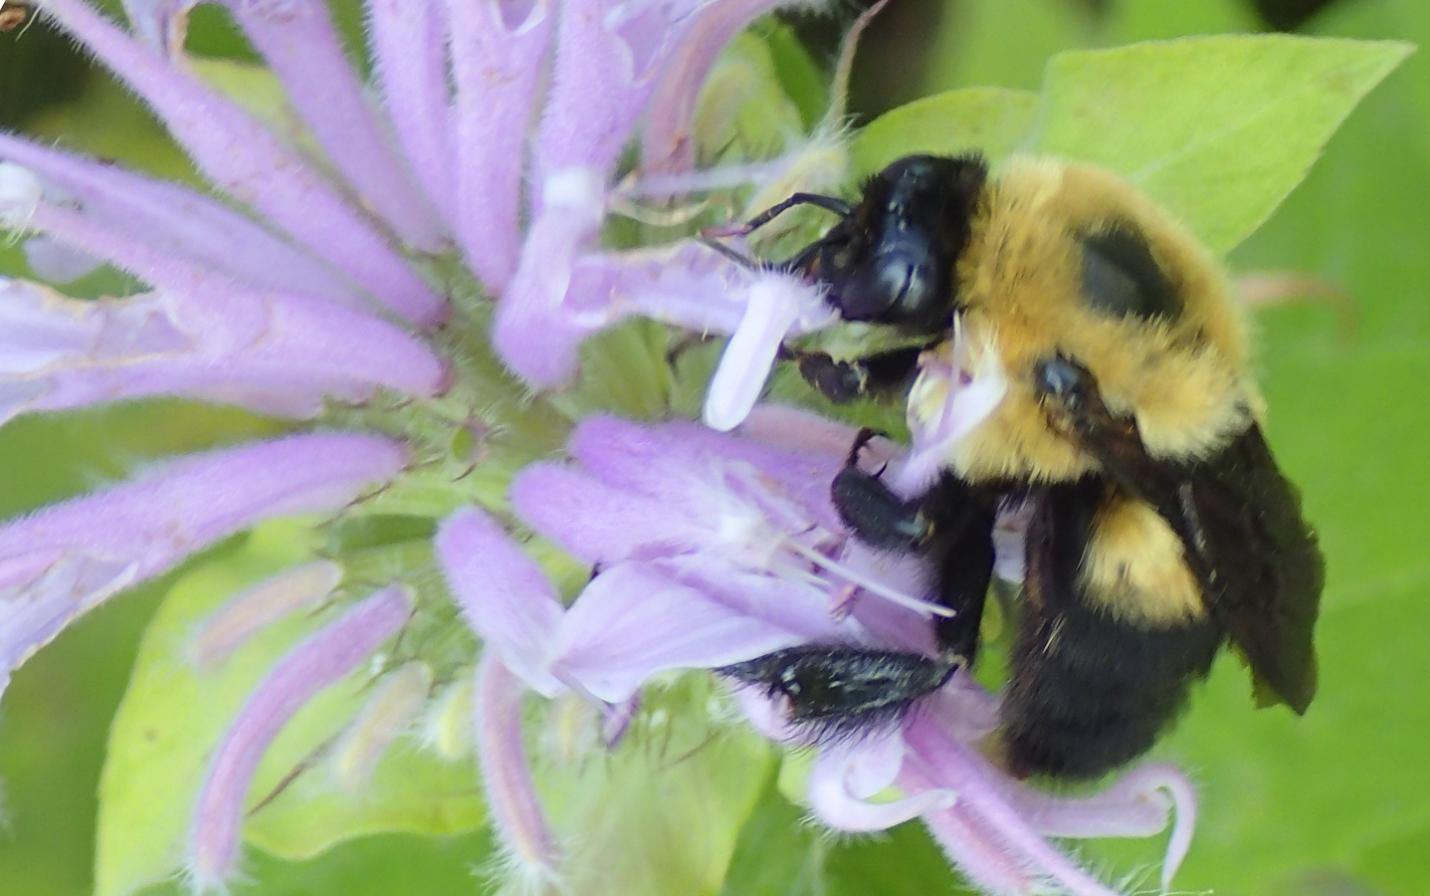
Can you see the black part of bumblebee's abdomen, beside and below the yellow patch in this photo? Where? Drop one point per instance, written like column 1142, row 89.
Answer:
column 1089, row 691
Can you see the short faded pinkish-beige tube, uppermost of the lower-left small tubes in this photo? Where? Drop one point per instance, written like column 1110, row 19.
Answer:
column 260, row 607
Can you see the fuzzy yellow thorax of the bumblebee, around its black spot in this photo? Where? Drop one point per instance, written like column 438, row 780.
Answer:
column 1185, row 379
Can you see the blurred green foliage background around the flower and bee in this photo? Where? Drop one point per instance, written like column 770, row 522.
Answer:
column 1333, row 804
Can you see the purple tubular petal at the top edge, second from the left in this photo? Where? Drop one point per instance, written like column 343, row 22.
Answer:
column 302, row 48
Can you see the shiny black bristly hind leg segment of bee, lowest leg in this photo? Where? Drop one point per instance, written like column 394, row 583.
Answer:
column 843, row 690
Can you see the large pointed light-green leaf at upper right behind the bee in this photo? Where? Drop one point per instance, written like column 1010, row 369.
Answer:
column 1216, row 129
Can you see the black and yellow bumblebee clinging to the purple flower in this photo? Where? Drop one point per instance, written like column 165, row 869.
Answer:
column 1160, row 528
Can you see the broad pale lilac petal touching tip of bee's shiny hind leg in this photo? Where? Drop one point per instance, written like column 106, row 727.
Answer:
column 631, row 624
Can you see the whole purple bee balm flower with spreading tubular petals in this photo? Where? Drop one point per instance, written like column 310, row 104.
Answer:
column 414, row 284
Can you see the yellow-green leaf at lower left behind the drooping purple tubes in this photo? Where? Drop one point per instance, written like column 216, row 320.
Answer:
column 174, row 715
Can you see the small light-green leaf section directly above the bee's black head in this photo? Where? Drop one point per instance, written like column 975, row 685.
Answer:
column 993, row 121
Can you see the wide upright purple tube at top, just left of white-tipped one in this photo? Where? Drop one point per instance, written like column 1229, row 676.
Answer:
column 498, row 59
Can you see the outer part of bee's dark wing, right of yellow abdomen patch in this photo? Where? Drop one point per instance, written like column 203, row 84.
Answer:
column 1261, row 567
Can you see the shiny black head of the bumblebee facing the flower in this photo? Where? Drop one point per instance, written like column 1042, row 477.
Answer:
column 892, row 259
